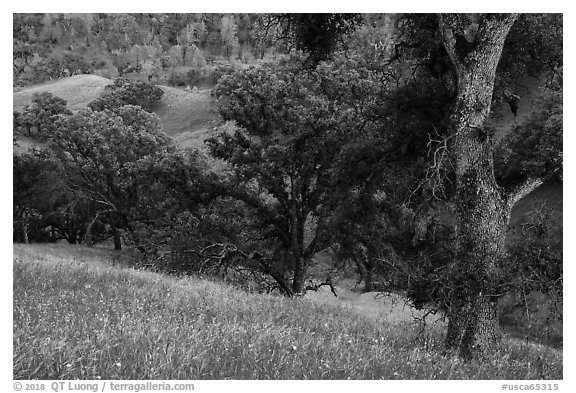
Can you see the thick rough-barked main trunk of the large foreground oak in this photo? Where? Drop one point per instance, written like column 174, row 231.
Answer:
column 474, row 47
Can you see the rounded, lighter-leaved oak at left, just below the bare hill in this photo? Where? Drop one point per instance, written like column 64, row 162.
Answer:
column 100, row 152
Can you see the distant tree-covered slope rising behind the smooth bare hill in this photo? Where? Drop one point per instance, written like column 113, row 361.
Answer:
column 131, row 43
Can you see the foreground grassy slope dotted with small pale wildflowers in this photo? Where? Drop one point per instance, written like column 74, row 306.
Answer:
column 78, row 314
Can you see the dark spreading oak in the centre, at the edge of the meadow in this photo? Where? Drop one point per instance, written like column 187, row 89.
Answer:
column 291, row 127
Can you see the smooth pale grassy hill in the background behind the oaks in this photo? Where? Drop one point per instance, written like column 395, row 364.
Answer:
column 185, row 115
